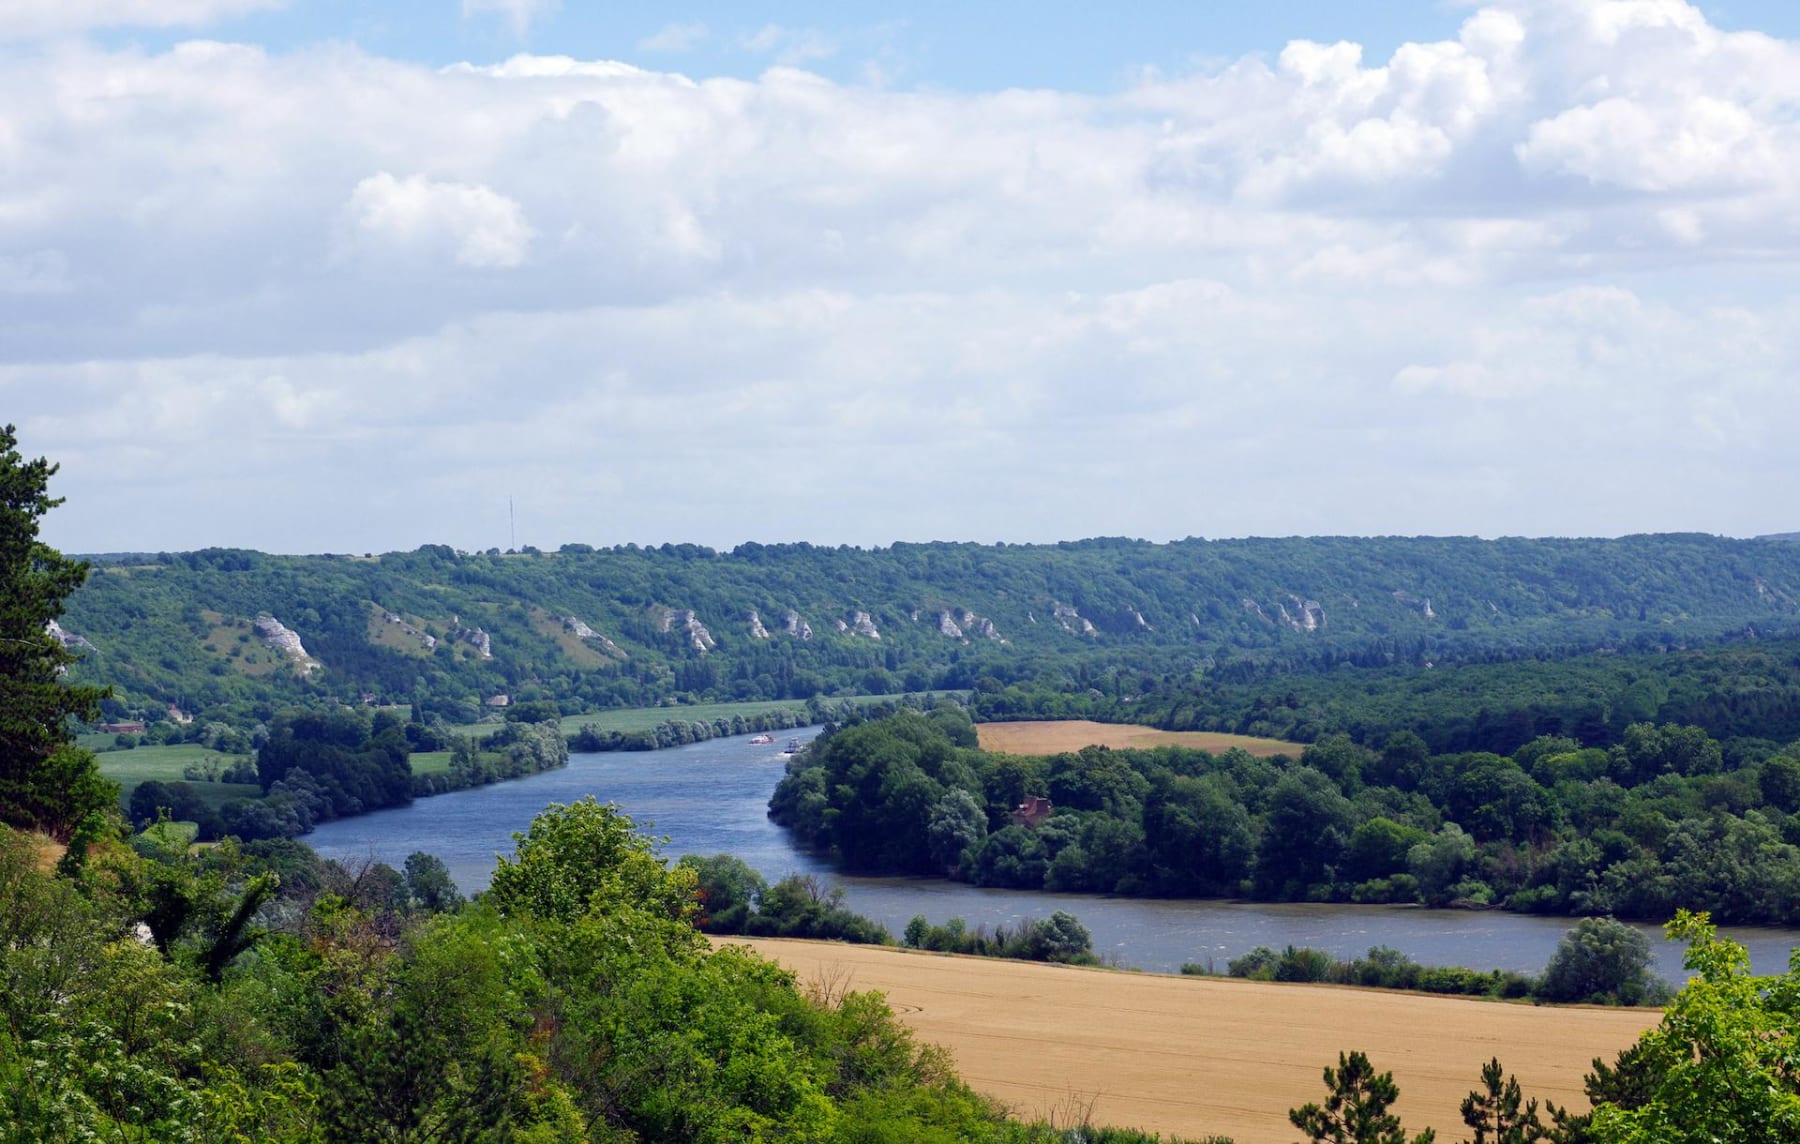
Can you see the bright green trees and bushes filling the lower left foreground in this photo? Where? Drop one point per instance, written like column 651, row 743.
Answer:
column 291, row 1001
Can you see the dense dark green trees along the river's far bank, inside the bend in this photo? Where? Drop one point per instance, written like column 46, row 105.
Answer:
column 1662, row 821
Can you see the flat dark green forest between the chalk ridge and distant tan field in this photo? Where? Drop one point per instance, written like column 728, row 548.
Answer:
column 1747, row 688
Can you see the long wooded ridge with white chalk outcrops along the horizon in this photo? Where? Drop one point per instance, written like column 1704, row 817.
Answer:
column 233, row 636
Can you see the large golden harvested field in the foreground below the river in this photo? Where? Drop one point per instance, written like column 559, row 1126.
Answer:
column 1194, row 1057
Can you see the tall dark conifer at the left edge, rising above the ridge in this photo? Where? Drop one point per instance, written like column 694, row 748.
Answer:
column 46, row 783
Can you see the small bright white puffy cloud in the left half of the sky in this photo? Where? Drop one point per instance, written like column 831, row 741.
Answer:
column 480, row 228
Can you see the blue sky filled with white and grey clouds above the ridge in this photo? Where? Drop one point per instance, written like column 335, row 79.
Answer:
column 337, row 276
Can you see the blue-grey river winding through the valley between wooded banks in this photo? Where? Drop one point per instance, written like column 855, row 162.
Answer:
column 712, row 798
